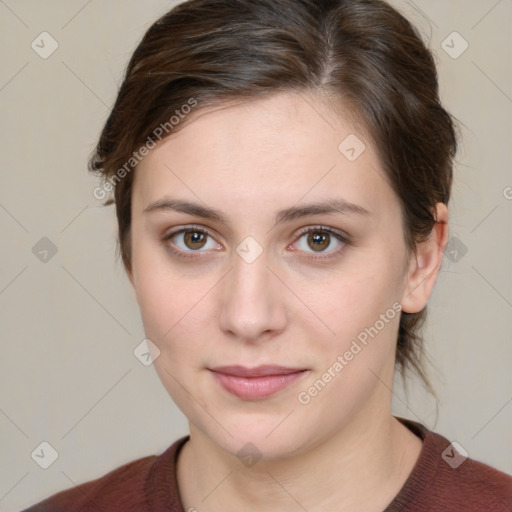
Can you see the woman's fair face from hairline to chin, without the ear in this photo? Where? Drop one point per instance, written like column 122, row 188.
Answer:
column 232, row 266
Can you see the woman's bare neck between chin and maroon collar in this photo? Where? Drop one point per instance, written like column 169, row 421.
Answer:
column 361, row 467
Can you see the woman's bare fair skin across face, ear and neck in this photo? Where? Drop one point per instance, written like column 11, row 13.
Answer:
column 343, row 450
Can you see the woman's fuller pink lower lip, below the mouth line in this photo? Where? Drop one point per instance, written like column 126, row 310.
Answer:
column 254, row 388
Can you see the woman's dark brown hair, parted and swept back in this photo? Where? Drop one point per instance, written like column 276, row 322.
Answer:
column 361, row 52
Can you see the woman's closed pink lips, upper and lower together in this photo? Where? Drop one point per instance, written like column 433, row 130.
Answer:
column 255, row 383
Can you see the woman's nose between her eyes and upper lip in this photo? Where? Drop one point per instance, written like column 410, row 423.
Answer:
column 252, row 303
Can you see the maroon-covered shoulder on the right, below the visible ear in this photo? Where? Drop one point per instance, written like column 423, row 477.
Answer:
column 445, row 478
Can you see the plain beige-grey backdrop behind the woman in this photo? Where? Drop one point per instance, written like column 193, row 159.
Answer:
column 69, row 320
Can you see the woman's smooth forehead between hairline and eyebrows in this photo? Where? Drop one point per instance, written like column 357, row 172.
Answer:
column 280, row 149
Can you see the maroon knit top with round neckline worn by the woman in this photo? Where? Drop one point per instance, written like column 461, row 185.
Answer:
column 441, row 480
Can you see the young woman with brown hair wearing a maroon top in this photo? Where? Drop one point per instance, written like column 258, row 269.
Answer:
column 281, row 171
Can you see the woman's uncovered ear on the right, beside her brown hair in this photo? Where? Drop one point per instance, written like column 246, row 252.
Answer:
column 424, row 267
